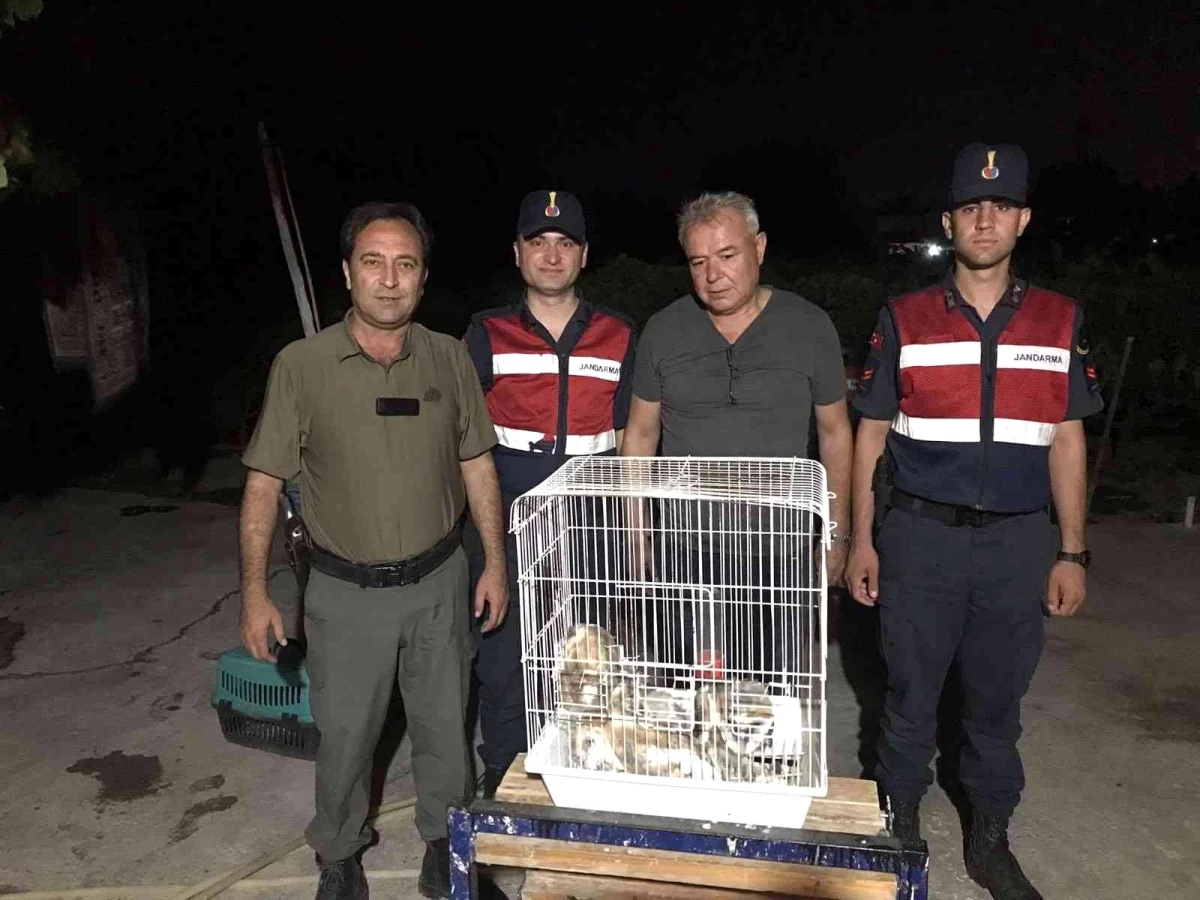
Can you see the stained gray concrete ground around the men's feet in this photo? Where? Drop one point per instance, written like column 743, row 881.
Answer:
column 115, row 772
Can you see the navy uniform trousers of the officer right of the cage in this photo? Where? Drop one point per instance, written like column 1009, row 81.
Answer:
column 974, row 597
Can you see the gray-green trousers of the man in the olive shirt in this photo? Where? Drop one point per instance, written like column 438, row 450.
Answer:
column 362, row 641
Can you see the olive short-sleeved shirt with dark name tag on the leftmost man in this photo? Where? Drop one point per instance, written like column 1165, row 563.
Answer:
column 375, row 488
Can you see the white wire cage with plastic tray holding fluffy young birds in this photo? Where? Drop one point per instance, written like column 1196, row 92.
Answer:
column 674, row 635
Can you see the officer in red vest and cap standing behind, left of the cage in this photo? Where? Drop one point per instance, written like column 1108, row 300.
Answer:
column 557, row 374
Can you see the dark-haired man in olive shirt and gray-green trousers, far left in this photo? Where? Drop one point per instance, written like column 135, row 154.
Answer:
column 385, row 425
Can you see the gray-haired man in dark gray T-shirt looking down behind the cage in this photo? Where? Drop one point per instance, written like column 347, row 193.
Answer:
column 737, row 368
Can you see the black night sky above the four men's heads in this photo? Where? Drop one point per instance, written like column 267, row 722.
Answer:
column 628, row 106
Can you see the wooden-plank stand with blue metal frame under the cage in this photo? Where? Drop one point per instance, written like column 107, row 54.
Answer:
column 573, row 854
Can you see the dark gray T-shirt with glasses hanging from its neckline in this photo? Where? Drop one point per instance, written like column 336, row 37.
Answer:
column 753, row 398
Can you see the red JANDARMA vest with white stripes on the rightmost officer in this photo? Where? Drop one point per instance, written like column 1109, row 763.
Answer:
column 951, row 448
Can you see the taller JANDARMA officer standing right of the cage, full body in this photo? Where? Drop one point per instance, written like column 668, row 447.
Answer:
column 973, row 400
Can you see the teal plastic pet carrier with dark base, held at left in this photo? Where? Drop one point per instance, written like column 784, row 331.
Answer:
column 266, row 705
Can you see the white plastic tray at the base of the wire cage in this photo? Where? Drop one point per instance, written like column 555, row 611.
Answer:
column 740, row 803
